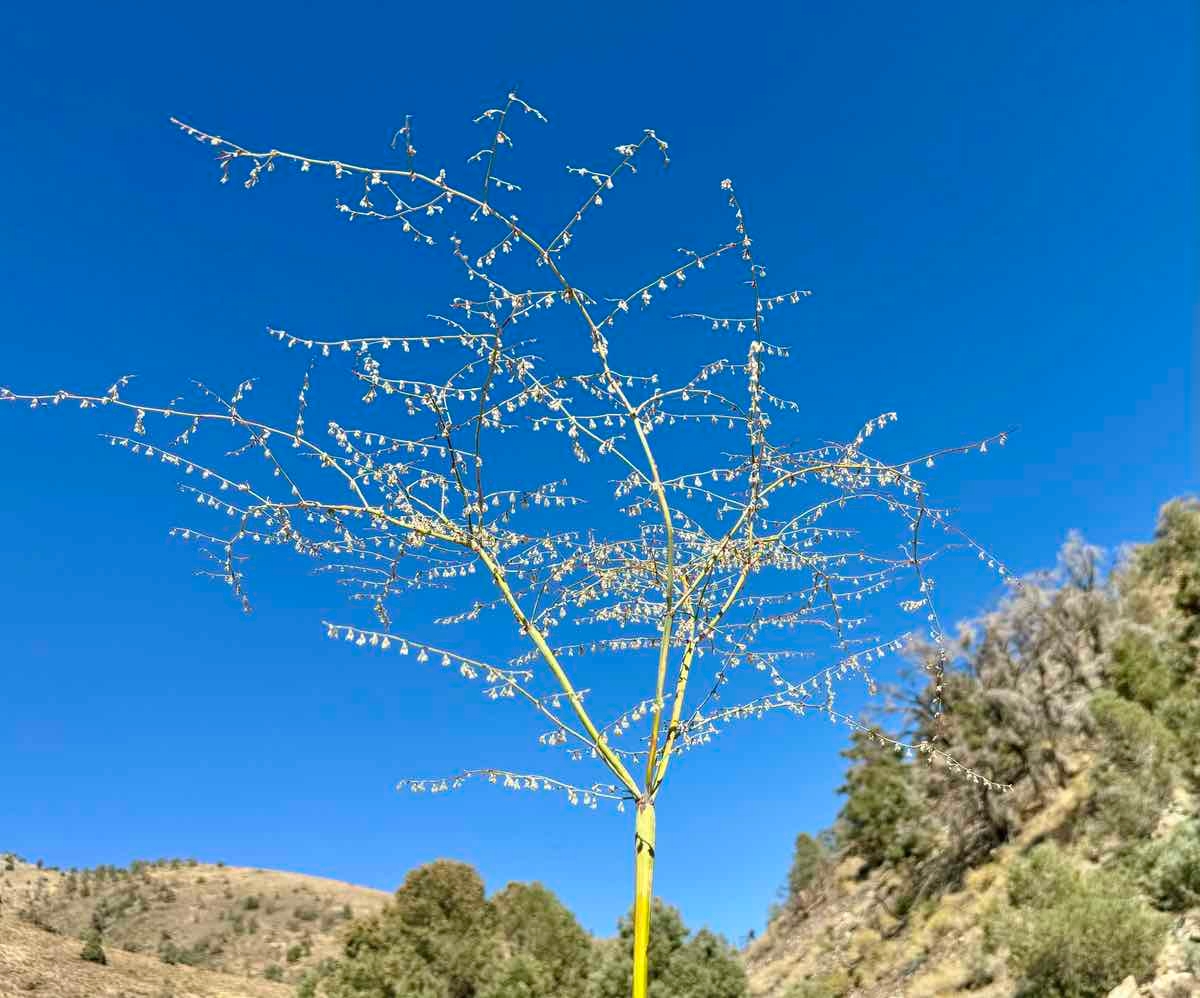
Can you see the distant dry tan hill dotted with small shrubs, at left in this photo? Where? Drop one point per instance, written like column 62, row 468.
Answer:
column 182, row 913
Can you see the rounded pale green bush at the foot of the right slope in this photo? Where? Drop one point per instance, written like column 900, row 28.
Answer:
column 1075, row 936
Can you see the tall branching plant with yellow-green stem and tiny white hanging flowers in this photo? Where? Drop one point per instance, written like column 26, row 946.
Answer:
column 727, row 543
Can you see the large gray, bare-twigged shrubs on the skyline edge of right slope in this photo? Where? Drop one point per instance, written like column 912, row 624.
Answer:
column 1015, row 702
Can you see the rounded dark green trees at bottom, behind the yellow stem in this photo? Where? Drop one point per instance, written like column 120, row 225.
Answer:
column 441, row 937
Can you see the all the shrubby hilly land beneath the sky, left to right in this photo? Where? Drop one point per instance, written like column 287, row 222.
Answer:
column 1079, row 694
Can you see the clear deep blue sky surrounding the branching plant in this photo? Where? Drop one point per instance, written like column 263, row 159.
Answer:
column 994, row 206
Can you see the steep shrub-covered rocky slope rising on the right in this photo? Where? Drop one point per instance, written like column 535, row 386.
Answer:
column 1081, row 690
